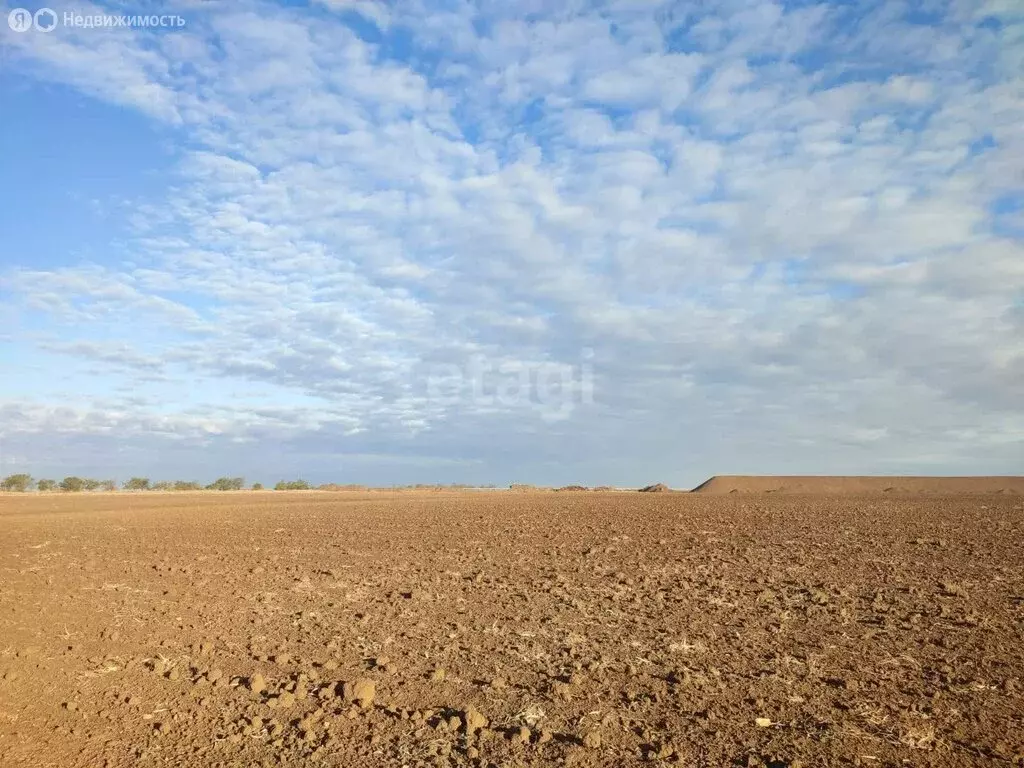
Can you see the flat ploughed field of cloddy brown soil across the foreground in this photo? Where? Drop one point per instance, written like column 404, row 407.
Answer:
column 511, row 630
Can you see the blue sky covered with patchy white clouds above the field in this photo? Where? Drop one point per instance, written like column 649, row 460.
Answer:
column 614, row 243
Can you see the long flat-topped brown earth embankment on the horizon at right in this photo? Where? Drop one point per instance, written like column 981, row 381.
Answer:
column 855, row 485
